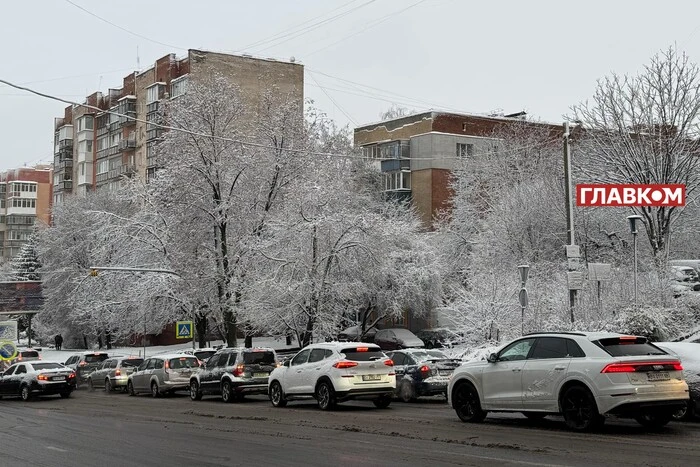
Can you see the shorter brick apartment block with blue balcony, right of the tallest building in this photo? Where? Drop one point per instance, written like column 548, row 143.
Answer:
column 417, row 153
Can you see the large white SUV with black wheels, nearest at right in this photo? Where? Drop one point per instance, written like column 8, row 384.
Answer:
column 582, row 376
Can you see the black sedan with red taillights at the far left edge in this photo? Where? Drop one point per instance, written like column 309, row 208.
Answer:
column 36, row 378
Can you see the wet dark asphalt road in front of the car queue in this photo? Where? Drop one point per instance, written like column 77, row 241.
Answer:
column 94, row 428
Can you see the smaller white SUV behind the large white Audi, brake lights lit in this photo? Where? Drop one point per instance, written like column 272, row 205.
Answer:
column 333, row 372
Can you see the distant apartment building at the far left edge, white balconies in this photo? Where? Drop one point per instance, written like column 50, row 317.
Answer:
column 25, row 200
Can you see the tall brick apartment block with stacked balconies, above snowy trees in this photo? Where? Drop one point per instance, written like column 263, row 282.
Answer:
column 96, row 149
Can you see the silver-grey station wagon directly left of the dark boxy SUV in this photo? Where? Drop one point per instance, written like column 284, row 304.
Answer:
column 162, row 374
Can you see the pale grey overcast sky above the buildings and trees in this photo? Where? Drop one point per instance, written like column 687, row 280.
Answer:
column 360, row 56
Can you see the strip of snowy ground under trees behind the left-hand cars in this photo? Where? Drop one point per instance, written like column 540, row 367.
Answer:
column 53, row 355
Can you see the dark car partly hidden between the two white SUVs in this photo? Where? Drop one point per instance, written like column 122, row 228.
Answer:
column 421, row 372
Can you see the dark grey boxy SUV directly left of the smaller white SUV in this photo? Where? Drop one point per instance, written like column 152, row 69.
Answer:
column 233, row 373
